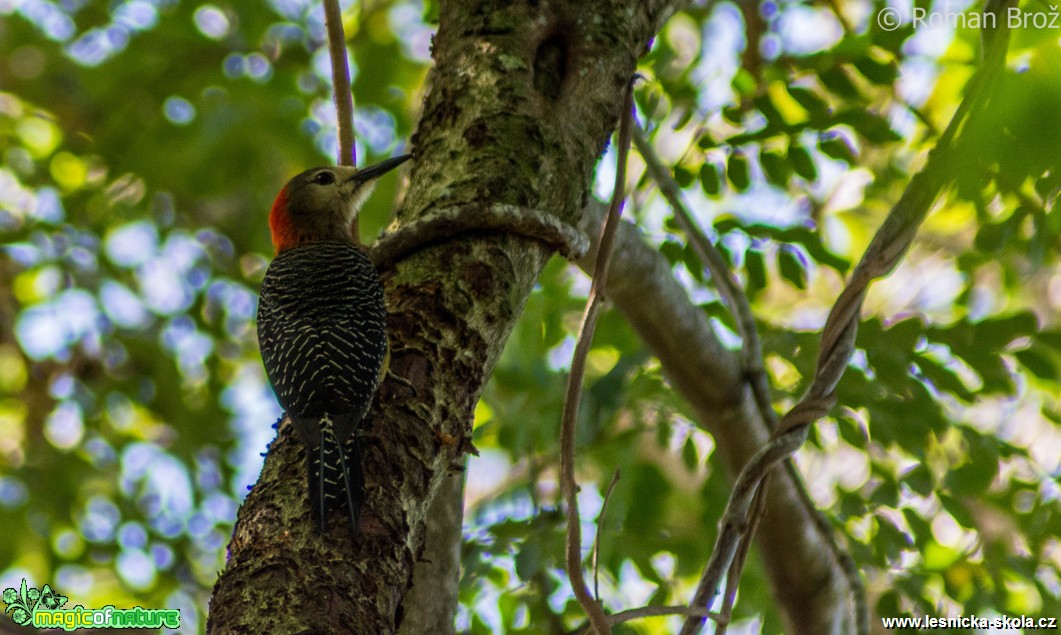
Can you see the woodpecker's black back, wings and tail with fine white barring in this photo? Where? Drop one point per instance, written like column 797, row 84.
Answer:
column 322, row 328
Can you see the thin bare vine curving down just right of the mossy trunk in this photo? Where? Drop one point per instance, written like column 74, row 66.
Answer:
column 575, row 544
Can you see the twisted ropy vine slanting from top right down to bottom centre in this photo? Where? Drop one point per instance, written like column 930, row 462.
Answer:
column 892, row 242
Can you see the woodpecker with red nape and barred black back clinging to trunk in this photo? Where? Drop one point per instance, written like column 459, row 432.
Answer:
column 322, row 328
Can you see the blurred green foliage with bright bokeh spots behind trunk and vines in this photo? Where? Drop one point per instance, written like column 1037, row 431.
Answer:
column 142, row 144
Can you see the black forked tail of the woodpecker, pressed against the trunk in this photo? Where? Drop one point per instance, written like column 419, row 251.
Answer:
column 336, row 478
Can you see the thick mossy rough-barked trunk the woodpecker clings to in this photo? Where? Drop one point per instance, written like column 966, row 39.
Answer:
column 524, row 98
